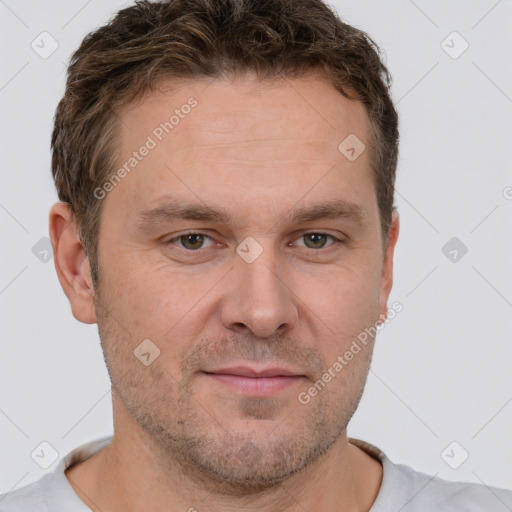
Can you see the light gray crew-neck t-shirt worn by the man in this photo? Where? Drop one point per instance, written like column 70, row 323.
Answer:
column 403, row 489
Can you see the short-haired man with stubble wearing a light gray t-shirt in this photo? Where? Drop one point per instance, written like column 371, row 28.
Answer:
column 226, row 174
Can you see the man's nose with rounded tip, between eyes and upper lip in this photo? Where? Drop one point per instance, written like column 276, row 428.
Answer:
column 259, row 299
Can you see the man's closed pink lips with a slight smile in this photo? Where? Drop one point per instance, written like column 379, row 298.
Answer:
column 250, row 381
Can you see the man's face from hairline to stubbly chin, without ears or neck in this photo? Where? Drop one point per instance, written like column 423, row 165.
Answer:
column 290, row 301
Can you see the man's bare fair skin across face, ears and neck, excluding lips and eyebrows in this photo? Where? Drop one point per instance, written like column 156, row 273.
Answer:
column 182, row 439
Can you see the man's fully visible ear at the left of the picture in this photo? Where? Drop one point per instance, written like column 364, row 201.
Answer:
column 71, row 263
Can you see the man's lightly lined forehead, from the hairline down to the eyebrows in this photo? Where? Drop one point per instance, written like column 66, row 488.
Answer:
column 229, row 138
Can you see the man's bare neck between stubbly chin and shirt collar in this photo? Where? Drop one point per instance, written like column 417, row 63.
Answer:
column 133, row 474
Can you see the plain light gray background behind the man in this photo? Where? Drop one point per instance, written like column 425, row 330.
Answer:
column 442, row 367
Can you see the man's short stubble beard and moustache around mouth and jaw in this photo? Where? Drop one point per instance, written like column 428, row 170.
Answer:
column 236, row 463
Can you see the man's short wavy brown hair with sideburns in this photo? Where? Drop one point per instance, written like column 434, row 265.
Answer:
column 151, row 40
